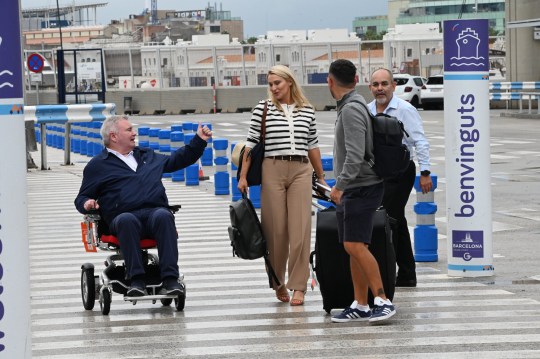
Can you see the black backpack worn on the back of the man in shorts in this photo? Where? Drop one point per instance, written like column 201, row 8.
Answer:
column 390, row 156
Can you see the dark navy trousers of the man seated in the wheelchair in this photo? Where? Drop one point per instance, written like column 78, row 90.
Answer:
column 156, row 223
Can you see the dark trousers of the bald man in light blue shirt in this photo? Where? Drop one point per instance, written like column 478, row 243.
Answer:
column 396, row 195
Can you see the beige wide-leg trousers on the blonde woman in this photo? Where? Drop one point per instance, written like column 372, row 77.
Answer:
column 286, row 219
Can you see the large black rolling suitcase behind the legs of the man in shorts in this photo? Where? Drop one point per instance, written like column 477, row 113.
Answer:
column 330, row 261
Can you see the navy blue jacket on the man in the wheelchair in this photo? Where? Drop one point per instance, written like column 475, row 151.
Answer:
column 119, row 189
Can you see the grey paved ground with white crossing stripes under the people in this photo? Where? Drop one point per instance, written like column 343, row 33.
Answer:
column 230, row 312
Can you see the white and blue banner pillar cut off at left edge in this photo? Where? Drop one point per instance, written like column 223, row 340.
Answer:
column 15, row 336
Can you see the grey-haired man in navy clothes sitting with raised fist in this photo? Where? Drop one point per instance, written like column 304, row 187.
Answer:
column 123, row 184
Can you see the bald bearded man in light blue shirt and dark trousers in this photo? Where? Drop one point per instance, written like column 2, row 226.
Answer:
column 397, row 190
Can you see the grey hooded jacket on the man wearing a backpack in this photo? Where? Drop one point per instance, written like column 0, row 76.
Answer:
column 352, row 139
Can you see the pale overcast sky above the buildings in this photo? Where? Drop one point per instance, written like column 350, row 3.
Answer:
column 259, row 15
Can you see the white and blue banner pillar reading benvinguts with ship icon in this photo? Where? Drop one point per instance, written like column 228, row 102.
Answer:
column 467, row 148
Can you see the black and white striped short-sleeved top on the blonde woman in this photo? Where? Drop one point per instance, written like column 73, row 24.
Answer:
column 293, row 135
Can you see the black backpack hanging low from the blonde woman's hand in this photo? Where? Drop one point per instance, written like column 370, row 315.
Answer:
column 246, row 235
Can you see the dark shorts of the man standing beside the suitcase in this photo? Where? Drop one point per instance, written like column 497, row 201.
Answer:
column 356, row 211
